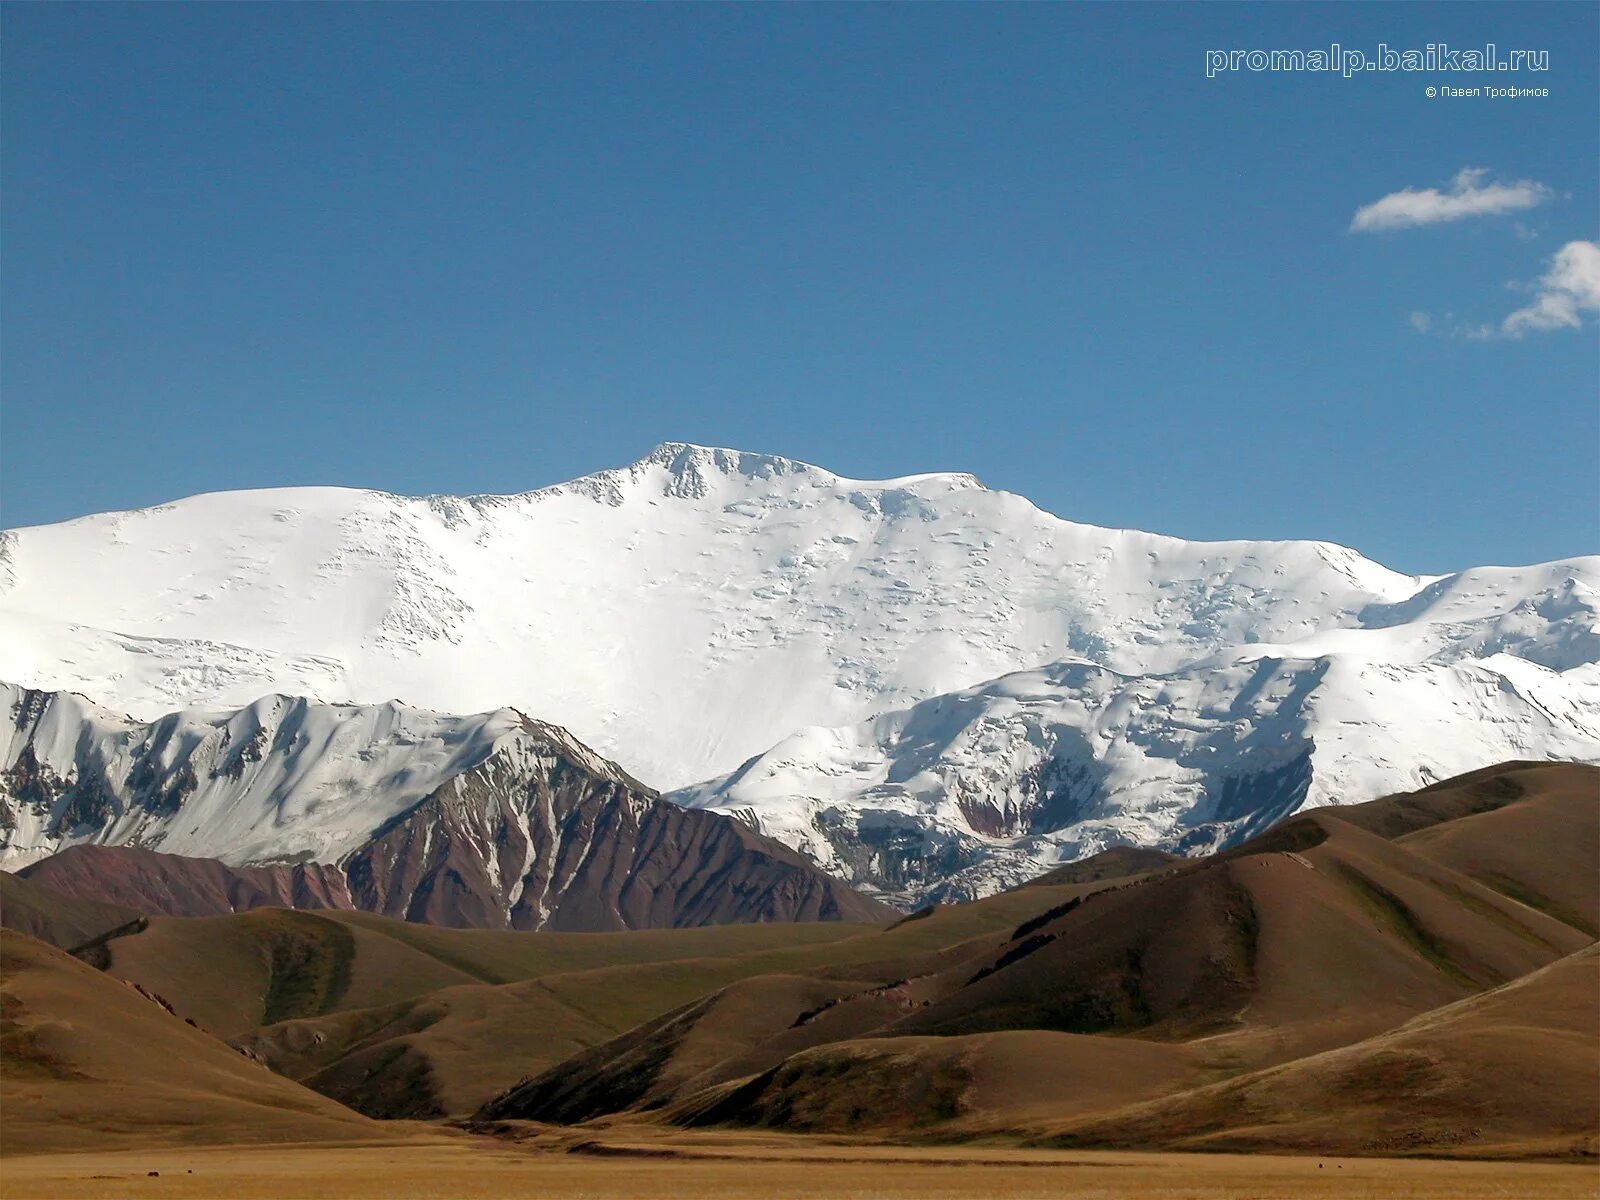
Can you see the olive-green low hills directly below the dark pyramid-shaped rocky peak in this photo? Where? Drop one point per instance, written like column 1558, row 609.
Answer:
column 414, row 1020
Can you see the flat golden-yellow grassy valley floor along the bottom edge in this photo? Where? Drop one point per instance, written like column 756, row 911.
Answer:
column 758, row 1167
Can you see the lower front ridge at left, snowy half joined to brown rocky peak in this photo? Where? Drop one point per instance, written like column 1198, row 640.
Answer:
column 486, row 822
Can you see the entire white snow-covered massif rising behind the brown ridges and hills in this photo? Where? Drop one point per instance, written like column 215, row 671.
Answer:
column 919, row 676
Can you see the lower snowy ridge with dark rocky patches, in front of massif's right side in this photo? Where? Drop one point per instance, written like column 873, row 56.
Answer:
column 975, row 791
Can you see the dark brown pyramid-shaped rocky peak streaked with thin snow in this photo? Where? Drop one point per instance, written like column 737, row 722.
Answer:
column 540, row 839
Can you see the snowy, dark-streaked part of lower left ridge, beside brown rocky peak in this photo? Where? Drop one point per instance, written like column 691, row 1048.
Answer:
column 281, row 780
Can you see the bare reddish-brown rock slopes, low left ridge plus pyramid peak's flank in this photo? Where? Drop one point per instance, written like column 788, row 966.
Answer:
column 609, row 858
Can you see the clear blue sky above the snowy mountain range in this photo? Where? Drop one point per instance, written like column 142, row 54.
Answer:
column 482, row 249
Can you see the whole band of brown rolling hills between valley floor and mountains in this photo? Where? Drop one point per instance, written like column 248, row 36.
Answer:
column 1348, row 967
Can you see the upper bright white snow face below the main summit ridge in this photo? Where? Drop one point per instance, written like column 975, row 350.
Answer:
column 679, row 615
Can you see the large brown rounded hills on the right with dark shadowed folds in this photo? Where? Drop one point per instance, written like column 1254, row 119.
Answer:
column 1324, row 937
